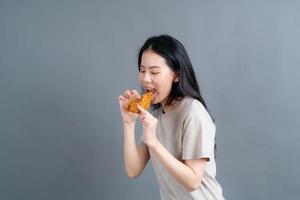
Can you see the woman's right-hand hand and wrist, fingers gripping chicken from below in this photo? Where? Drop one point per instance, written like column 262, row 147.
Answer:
column 149, row 126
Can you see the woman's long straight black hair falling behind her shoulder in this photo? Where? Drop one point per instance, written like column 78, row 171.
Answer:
column 178, row 60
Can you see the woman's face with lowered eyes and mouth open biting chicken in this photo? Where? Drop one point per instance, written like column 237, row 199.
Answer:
column 156, row 76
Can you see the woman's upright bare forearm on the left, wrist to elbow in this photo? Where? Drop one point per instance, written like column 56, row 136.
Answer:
column 135, row 157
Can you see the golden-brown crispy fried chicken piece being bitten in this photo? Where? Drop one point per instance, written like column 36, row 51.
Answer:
column 145, row 102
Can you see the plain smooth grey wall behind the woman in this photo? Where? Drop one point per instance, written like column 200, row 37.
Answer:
column 63, row 63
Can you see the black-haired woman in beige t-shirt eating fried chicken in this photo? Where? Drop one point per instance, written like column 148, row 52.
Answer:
column 178, row 135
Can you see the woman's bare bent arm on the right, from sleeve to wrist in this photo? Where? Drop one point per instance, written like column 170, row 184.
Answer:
column 189, row 173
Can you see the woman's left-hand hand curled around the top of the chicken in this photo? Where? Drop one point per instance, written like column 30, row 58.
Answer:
column 124, row 99
